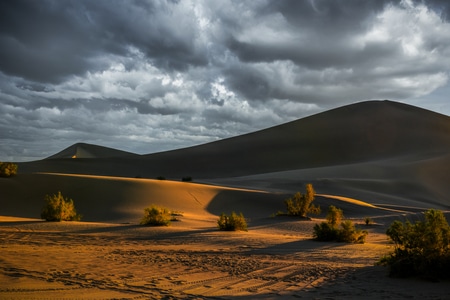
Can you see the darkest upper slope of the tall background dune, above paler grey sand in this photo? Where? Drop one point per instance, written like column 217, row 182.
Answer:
column 367, row 131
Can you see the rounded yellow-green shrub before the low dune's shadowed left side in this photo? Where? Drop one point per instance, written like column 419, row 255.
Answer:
column 57, row 208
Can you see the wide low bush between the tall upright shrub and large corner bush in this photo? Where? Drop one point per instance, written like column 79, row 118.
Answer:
column 334, row 229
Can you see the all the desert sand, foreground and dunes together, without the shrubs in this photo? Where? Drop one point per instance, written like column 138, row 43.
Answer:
column 382, row 160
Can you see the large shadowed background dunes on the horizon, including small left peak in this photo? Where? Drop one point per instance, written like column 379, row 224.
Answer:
column 378, row 151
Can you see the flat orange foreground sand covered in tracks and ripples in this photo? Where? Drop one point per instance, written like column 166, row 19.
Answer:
column 191, row 259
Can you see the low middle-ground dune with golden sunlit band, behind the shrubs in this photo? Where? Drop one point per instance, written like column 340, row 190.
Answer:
column 119, row 199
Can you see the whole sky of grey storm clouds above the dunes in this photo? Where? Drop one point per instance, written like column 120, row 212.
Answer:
column 147, row 76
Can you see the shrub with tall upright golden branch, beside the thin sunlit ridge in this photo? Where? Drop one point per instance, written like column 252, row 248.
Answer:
column 301, row 205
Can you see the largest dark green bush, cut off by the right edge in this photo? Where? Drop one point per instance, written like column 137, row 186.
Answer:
column 421, row 249
